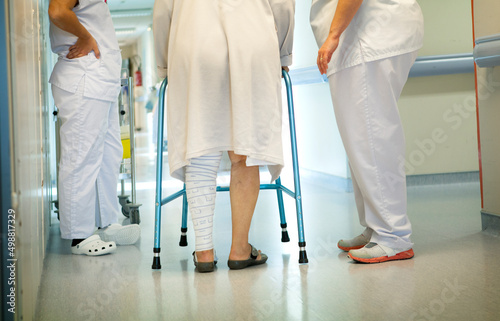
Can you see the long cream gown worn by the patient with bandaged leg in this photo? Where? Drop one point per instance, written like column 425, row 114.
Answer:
column 223, row 61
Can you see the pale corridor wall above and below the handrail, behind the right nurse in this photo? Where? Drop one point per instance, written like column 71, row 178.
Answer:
column 443, row 105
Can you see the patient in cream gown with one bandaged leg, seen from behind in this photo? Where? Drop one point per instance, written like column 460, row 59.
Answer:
column 223, row 60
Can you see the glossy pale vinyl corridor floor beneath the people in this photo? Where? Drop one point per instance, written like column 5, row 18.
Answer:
column 453, row 276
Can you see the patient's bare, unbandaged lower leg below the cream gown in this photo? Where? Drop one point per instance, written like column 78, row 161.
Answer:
column 243, row 191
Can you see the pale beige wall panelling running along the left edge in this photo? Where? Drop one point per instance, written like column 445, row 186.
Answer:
column 28, row 20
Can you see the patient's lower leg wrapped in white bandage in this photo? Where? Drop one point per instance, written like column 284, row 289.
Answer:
column 201, row 184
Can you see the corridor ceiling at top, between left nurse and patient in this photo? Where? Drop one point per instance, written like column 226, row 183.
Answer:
column 131, row 18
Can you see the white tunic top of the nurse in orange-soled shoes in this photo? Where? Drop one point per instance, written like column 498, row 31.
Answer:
column 380, row 29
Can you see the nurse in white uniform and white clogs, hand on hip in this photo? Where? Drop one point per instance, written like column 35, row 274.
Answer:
column 85, row 85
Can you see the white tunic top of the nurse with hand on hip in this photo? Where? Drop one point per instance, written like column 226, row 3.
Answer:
column 102, row 76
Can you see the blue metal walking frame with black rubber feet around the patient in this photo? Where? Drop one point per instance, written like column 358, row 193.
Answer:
column 159, row 202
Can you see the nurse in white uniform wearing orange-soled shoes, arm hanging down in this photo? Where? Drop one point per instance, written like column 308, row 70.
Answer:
column 367, row 48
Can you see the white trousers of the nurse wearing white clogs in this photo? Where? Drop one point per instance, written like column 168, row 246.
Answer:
column 91, row 154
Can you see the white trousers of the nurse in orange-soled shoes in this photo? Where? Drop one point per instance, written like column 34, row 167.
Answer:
column 365, row 102
